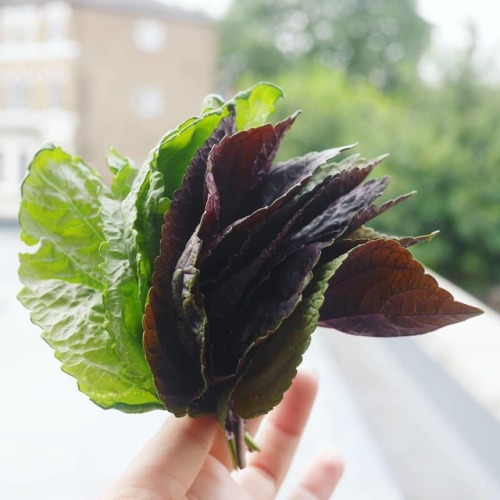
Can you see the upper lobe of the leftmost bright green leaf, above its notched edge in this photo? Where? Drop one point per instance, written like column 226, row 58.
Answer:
column 59, row 205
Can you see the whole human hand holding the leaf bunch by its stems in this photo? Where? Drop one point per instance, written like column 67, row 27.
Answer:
column 188, row 458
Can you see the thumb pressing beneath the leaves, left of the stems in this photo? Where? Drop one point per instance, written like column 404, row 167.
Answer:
column 169, row 464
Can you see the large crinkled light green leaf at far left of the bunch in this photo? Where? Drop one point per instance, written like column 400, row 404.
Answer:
column 66, row 288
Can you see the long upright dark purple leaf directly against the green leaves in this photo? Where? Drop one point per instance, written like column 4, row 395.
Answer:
column 178, row 377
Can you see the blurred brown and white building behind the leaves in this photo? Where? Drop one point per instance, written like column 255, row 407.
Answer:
column 87, row 74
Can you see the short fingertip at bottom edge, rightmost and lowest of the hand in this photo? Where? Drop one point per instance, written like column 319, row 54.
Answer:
column 321, row 478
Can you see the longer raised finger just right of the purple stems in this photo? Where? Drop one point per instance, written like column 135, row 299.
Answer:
column 279, row 436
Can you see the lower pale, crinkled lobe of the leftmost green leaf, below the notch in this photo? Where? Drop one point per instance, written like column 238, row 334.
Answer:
column 71, row 317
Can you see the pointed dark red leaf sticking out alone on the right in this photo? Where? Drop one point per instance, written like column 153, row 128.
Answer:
column 381, row 291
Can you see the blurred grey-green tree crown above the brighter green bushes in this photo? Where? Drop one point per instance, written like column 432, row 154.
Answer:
column 382, row 40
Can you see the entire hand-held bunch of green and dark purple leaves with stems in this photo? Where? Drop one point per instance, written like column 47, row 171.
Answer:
column 194, row 283
